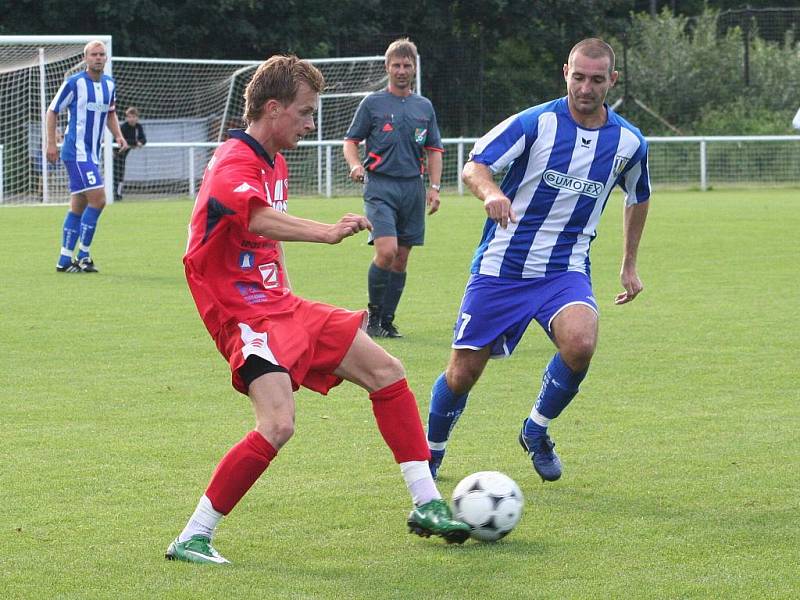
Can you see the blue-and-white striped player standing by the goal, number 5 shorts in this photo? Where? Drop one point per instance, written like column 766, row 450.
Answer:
column 90, row 98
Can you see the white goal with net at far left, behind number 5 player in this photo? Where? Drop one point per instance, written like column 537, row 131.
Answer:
column 32, row 68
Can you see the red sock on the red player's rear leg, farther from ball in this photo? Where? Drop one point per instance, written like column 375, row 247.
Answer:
column 238, row 471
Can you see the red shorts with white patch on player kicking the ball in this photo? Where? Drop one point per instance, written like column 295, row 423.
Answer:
column 309, row 342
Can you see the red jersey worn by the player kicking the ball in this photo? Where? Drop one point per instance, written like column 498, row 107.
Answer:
column 231, row 271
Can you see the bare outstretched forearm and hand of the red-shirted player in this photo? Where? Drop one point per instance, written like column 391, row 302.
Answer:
column 287, row 228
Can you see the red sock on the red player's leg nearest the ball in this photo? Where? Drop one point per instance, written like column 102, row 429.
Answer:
column 396, row 412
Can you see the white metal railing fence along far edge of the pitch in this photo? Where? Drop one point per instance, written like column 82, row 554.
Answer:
column 318, row 168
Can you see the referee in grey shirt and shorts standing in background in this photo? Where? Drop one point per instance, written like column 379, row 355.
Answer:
column 400, row 130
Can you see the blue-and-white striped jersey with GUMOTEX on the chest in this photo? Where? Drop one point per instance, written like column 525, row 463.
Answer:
column 559, row 181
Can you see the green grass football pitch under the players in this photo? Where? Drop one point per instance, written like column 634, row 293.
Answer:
column 681, row 453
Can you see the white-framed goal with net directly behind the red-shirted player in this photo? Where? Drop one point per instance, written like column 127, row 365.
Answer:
column 187, row 106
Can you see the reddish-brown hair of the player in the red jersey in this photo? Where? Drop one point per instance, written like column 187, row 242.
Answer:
column 278, row 78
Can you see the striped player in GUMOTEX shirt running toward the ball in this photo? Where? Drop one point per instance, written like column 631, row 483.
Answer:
column 564, row 157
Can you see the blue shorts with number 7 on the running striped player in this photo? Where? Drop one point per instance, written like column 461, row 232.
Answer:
column 496, row 311
